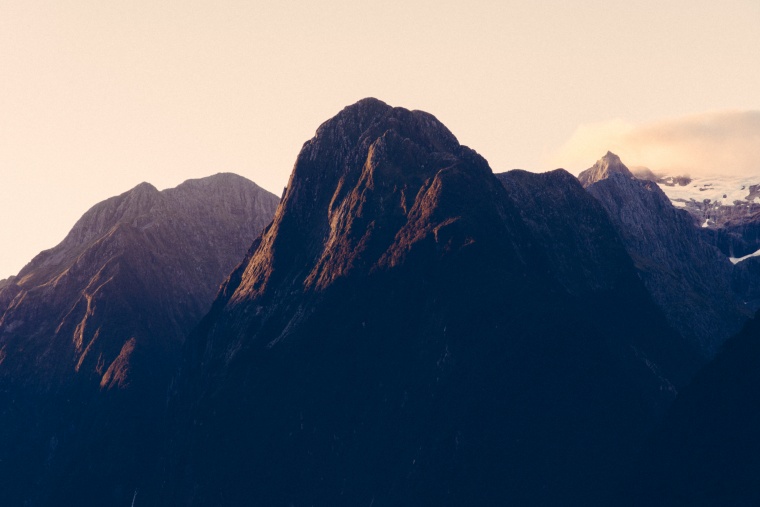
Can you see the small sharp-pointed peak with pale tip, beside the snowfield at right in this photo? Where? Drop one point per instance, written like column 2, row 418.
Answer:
column 688, row 277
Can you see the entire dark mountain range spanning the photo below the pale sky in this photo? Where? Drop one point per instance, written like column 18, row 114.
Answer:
column 404, row 327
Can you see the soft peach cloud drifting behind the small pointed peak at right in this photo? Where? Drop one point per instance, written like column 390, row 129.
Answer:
column 724, row 142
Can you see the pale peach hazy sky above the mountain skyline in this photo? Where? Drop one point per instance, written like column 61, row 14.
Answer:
column 98, row 95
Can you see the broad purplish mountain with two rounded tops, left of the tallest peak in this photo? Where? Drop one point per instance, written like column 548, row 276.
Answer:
column 91, row 331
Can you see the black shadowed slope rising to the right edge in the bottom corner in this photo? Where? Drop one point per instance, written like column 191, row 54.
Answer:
column 707, row 451
